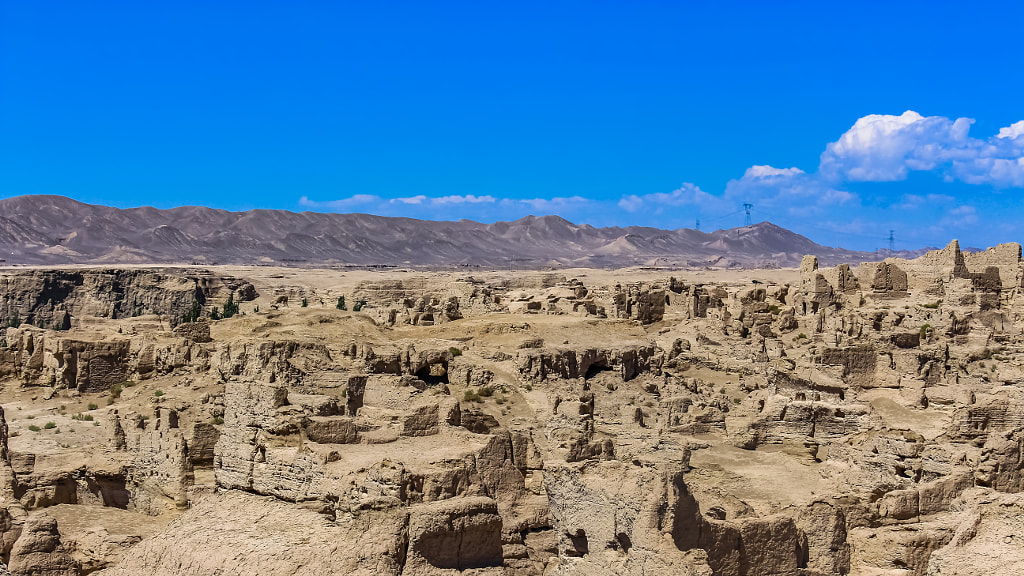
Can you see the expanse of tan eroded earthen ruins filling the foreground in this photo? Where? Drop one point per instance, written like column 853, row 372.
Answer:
column 864, row 421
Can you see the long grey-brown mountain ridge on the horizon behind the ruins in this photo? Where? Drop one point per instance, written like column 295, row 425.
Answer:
column 56, row 230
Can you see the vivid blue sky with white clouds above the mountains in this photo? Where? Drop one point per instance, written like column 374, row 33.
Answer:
column 838, row 121
